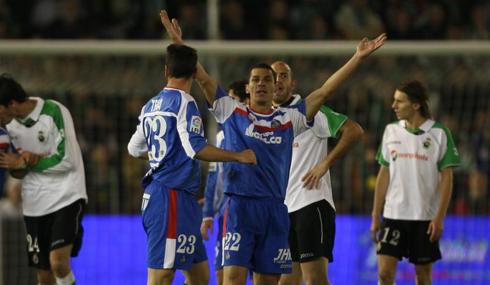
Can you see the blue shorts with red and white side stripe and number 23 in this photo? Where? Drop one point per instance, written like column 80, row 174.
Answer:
column 172, row 221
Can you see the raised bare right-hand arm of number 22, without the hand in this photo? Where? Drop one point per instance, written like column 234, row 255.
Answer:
column 318, row 97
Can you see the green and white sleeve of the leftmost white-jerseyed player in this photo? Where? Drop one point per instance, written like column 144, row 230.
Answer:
column 61, row 160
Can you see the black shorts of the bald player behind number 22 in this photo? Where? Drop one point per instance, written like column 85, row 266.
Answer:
column 312, row 232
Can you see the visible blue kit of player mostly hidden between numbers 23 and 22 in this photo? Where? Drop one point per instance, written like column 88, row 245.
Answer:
column 214, row 199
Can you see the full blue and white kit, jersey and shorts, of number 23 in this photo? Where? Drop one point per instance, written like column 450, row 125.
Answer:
column 170, row 131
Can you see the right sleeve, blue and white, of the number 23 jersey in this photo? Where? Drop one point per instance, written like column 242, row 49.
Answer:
column 190, row 127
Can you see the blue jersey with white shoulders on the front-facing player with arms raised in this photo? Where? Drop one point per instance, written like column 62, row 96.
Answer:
column 270, row 136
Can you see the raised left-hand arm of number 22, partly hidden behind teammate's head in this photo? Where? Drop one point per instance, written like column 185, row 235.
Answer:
column 207, row 84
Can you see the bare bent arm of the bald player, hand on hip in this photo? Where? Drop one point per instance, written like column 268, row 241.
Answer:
column 351, row 132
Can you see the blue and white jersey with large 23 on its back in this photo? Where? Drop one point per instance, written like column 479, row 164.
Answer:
column 171, row 132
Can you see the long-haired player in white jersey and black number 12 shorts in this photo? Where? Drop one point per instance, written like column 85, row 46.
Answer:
column 414, row 182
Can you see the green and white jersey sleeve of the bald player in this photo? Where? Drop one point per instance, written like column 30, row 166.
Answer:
column 328, row 123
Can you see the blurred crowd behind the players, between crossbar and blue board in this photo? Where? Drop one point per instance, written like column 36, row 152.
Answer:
column 106, row 101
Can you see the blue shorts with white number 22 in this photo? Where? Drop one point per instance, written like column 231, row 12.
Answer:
column 255, row 235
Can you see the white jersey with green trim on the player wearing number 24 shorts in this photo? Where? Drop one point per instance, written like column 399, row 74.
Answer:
column 58, row 179
